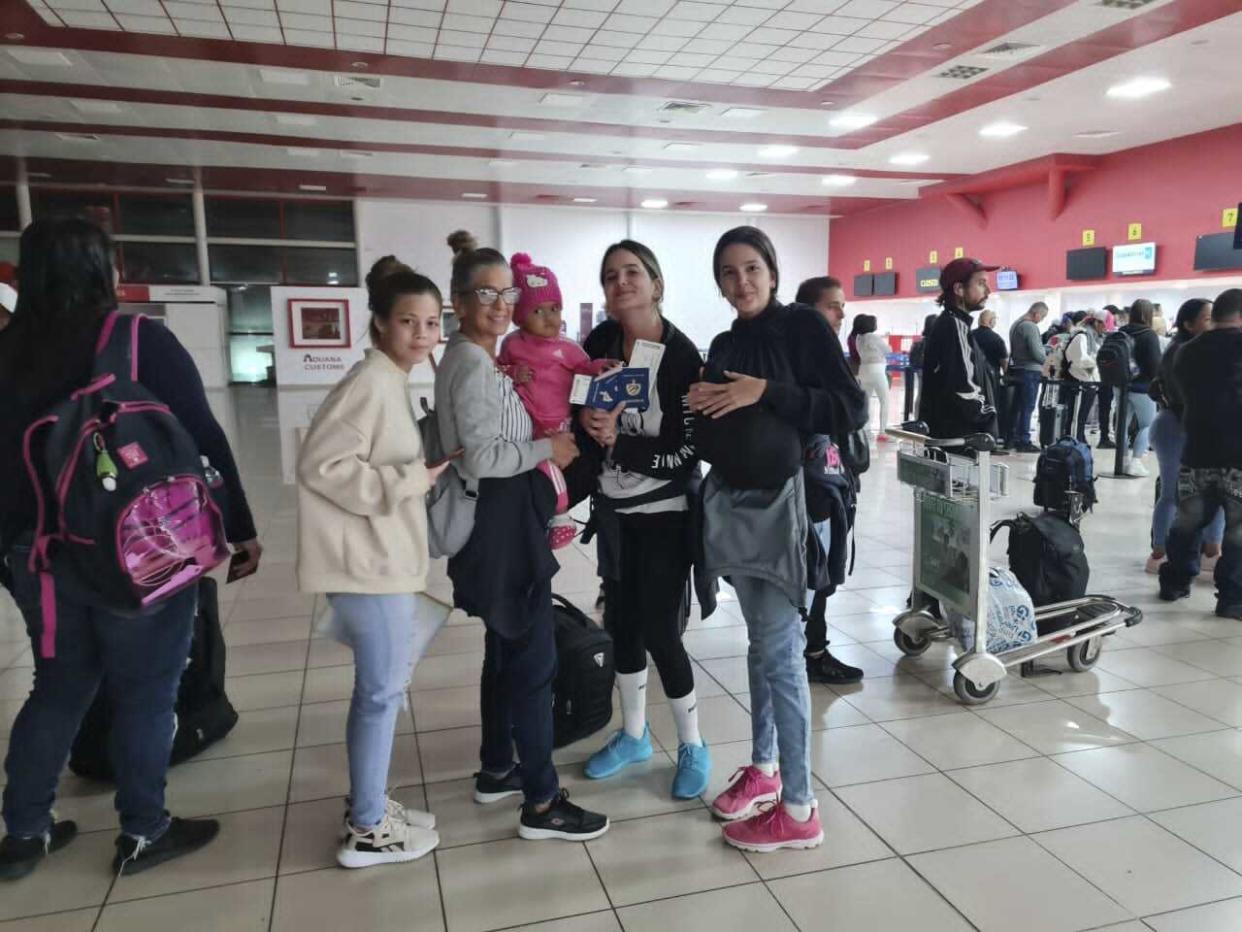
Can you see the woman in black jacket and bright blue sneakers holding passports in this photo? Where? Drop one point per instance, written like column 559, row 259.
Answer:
column 641, row 513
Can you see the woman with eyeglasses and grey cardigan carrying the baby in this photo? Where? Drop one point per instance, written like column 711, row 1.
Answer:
column 504, row 575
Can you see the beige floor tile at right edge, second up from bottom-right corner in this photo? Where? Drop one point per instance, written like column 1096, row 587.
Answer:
column 1142, row 867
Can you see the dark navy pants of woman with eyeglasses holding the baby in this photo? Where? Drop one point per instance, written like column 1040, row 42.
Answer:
column 516, row 701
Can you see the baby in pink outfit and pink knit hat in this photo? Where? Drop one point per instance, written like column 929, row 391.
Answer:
column 543, row 365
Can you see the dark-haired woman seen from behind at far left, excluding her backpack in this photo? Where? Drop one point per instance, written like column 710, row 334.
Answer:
column 68, row 293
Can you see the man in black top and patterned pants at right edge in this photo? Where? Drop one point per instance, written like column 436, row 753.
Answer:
column 1208, row 376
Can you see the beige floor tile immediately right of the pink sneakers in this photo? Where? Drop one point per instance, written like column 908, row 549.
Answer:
column 923, row 813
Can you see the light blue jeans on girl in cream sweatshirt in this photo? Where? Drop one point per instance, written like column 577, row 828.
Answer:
column 388, row 639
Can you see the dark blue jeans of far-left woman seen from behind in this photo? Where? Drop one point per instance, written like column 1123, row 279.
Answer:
column 141, row 660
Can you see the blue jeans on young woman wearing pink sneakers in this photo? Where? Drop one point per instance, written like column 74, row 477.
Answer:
column 781, row 699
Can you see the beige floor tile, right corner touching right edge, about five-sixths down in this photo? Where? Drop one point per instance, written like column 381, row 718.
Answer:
column 1145, row 777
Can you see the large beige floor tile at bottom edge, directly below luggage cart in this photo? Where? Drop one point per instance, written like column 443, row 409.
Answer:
column 1017, row 887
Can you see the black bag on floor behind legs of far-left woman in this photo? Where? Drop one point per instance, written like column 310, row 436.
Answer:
column 204, row 714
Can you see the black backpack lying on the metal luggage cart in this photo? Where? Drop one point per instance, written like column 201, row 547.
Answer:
column 1048, row 556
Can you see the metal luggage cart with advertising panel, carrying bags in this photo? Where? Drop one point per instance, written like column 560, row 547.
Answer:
column 952, row 536
